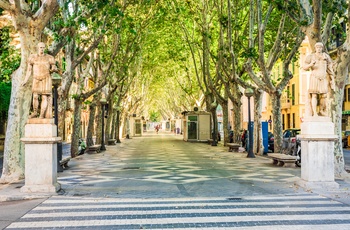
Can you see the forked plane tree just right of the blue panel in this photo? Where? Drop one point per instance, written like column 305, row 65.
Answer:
column 267, row 46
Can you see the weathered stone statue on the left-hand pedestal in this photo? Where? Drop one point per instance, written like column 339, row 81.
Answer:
column 41, row 66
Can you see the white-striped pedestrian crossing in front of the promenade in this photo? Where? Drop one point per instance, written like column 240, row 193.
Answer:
column 303, row 211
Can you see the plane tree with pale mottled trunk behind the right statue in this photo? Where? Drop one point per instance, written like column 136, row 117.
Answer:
column 325, row 21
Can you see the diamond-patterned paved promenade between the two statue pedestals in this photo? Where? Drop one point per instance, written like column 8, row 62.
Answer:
column 157, row 166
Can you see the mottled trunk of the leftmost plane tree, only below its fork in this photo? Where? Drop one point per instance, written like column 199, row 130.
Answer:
column 13, row 165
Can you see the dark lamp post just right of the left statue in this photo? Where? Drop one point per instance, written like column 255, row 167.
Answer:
column 56, row 81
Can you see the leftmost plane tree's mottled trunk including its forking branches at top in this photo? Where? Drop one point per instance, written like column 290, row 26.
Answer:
column 29, row 26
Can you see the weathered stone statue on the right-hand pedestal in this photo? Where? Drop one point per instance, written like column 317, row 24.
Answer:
column 322, row 76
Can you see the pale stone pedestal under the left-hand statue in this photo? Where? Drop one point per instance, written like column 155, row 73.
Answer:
column 40, row 141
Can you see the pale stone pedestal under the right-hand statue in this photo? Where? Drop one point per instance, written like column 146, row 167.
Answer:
column 317, row 156
